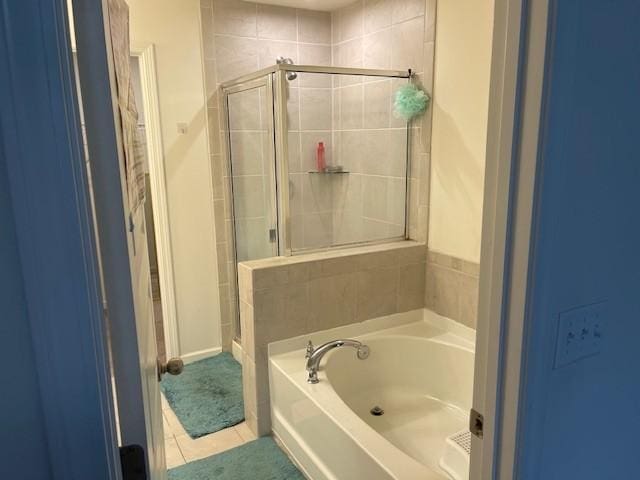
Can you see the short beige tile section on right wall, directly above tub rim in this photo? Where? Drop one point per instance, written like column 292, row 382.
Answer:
column 451, row 287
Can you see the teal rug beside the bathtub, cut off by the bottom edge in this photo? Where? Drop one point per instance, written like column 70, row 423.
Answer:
column 261, row 459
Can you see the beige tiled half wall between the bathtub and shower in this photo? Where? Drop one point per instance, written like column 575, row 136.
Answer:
column 288, row 296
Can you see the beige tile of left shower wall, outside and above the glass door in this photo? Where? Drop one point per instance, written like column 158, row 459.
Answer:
column 239, row 38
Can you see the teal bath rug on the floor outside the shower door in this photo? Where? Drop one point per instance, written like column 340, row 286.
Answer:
column 207, row 396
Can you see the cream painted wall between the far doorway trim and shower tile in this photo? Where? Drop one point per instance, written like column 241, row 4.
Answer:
column 174, row 28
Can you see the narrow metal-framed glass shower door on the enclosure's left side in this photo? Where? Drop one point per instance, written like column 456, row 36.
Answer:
column 252, row 155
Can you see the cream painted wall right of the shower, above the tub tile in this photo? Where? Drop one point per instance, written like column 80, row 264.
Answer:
column 461, row 97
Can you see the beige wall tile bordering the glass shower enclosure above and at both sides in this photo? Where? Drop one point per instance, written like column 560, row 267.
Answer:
column 239, row 37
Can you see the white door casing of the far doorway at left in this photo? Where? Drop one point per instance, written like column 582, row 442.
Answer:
column 155, row 154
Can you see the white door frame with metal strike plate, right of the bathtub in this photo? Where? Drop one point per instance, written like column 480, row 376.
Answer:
column 512, row 153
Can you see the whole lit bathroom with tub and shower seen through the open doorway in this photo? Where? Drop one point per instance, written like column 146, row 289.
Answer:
column 321, row 210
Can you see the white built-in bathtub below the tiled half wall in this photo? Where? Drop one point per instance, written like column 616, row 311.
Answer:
column 420, row 372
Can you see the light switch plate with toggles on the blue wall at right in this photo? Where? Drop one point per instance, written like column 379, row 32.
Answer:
column 580, row 333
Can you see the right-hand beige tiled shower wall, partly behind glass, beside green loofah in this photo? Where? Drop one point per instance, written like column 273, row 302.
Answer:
column 369, row 140
